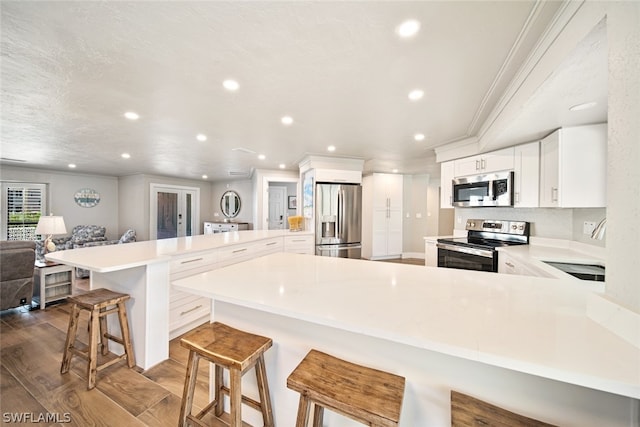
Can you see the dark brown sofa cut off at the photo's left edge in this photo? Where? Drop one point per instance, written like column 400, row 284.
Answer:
column 17, row 260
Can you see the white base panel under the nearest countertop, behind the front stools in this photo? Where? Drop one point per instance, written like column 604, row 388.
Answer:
column 430, row 377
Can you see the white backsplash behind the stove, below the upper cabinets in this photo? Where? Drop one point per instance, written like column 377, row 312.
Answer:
column 565, row 224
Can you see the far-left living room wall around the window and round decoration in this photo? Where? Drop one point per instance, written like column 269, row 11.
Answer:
column 61, row 188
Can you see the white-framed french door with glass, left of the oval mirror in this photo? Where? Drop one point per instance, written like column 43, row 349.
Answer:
column 174, row 211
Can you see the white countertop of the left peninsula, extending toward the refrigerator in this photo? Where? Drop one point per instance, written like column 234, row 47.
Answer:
column 109, row 258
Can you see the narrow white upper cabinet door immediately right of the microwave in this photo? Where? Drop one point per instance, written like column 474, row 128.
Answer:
column 526, row 168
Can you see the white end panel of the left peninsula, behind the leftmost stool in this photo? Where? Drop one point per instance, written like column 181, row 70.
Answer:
column 148, row 309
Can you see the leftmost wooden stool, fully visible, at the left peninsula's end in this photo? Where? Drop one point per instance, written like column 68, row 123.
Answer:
column 100, row 303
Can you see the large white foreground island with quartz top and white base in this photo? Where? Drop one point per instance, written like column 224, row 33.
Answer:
column 523, row 343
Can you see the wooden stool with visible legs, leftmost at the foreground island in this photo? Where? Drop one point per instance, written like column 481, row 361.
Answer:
column 231, row 349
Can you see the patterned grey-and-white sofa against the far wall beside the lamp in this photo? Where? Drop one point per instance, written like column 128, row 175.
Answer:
column 84, row 236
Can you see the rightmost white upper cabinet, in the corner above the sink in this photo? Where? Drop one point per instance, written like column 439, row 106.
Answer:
column 573, row 166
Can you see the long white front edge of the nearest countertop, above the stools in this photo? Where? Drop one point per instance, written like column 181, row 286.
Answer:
column 615, row 387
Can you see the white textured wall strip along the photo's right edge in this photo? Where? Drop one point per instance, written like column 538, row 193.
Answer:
column 623, row 172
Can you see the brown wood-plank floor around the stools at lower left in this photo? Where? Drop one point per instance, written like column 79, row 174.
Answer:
column 31, row 346
